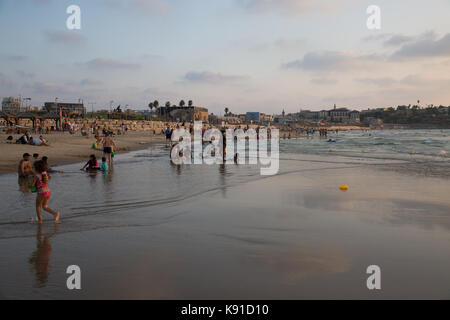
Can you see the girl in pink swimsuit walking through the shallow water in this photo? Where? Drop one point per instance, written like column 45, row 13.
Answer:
column 40, row 181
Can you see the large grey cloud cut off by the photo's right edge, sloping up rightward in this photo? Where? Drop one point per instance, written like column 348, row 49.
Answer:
column 427, row 45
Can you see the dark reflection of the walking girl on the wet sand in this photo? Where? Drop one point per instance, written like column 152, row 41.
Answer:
column 40, row 258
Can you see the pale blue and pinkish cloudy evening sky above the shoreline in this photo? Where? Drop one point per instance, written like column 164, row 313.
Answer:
column 247, row 55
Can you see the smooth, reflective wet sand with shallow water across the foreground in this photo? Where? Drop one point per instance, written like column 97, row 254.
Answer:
column 225, row 232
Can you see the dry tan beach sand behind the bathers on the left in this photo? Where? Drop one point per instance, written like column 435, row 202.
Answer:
column 66, row 148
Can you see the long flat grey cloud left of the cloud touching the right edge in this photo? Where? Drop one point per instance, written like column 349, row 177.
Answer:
column 331, row 60
